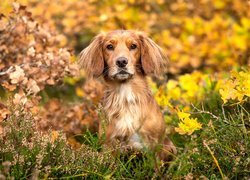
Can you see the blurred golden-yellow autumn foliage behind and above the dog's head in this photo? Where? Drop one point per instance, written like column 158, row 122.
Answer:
column 206, row 35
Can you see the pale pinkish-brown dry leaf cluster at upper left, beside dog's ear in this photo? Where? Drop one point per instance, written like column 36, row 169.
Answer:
column 30, row 58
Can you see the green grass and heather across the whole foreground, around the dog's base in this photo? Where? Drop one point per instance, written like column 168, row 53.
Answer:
column 220, row 150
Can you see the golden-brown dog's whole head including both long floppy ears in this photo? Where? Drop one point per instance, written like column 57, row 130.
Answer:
column 122, row 54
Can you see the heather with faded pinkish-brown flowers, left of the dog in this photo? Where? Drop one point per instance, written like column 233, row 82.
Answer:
column 26, row 153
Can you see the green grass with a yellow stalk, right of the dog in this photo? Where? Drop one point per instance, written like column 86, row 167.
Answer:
column 220, row 150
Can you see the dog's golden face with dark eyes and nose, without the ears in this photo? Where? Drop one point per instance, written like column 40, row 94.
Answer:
column 122, row 55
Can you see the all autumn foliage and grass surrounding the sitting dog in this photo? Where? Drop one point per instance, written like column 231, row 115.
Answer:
column 49, row 117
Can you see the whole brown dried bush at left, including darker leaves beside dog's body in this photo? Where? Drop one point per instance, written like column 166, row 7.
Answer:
column 31, row 58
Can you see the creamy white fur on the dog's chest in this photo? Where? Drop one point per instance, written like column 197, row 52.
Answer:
column 123, row 109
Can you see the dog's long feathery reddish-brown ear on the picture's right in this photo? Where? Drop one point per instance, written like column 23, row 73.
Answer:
column 153, row 59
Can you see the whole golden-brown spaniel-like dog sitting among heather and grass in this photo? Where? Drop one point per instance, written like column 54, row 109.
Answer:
column 124, row 58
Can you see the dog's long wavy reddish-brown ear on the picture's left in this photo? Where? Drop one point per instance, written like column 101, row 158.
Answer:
column 91, row 58
